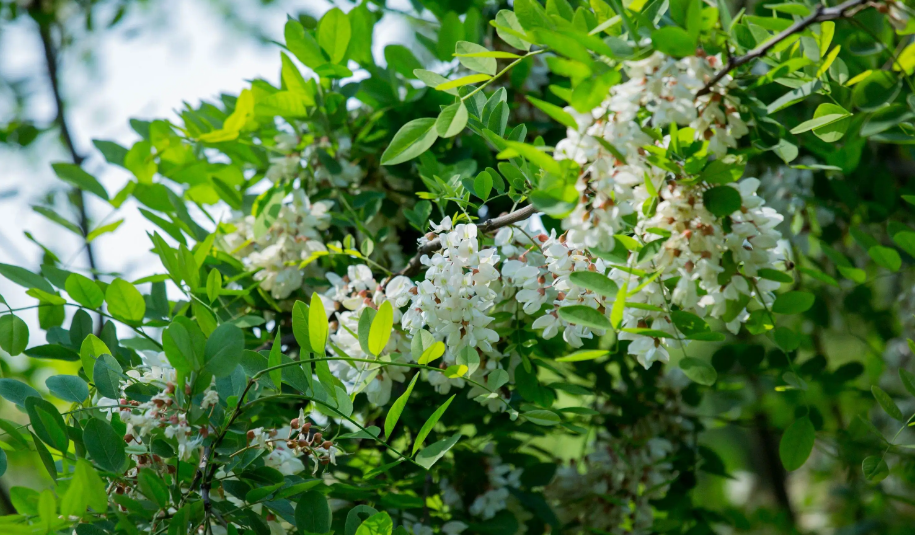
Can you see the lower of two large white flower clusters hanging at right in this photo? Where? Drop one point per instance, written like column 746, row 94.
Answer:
column 700, row 254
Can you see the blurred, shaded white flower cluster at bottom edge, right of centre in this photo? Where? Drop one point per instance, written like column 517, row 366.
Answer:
column 633, row 466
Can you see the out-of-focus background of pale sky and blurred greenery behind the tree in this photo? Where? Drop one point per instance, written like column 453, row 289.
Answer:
column 56, row 57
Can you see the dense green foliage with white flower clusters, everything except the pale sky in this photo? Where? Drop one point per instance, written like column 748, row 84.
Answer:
column 540, row 281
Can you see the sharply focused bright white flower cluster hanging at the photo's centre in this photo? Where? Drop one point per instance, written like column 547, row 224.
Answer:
column 460, row 287
